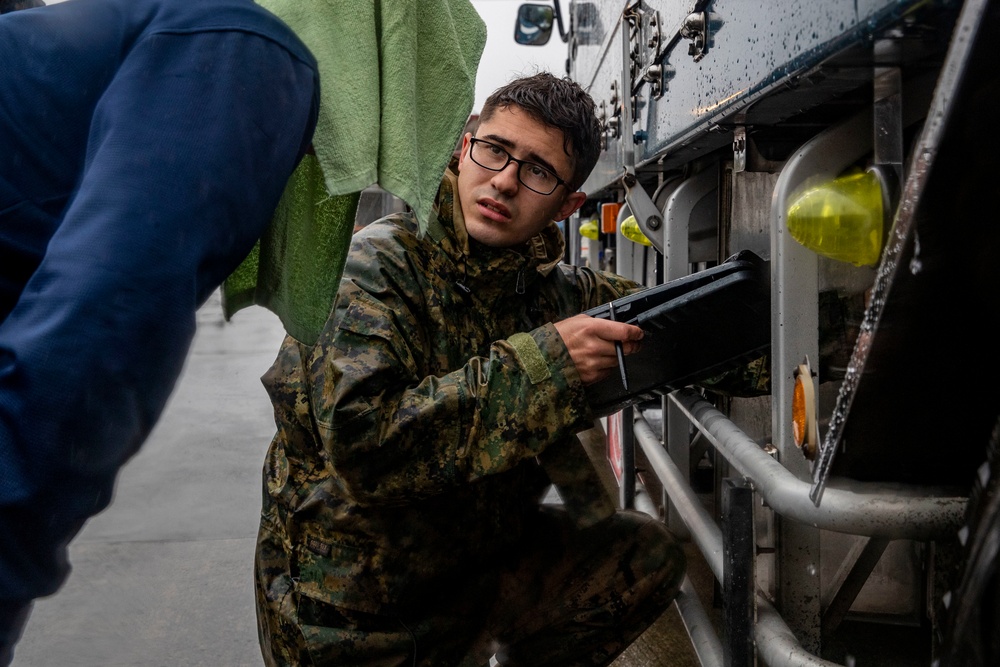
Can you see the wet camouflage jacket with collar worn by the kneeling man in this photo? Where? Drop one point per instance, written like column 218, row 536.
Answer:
column 407, row 436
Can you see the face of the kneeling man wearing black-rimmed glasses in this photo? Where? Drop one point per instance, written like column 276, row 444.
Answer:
column 499, row 210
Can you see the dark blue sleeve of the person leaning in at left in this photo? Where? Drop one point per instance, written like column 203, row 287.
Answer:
column 188, row 153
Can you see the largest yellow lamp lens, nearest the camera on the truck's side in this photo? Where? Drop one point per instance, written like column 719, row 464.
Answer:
column 841, row 219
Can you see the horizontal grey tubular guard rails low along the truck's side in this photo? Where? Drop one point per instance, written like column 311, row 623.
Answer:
column 873, row 510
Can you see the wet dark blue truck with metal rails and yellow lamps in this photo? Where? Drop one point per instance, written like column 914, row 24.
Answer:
column 842, row 488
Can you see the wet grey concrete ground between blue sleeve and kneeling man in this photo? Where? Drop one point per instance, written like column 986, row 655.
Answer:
column 163, row 577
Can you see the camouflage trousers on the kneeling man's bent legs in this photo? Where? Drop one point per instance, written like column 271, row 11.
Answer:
column 569, row 597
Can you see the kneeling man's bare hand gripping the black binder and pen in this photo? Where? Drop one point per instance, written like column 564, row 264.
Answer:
column 591, row 344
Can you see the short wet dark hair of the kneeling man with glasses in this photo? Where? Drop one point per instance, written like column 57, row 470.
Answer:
column 561, row 103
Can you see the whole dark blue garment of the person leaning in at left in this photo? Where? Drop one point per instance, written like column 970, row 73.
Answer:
column 144, row 145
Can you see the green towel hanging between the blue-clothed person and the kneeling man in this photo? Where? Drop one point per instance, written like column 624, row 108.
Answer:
column 397, row 84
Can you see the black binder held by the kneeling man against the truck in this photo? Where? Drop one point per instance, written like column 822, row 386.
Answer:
column 696, row 327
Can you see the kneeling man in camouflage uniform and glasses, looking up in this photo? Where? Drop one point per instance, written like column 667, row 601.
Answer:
column 401, row 521
